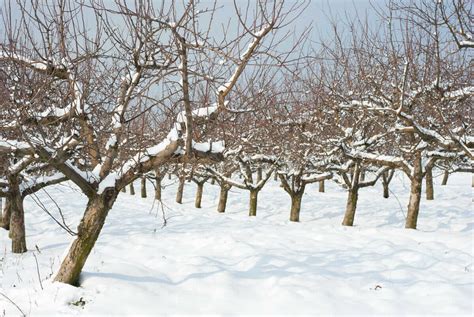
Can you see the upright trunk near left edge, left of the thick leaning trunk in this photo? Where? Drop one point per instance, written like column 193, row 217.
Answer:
column 17, row 217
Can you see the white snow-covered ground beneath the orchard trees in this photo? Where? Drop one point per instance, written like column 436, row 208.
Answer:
column 203, row 262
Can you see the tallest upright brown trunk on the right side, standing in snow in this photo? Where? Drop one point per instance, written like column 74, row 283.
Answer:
column 415, row 195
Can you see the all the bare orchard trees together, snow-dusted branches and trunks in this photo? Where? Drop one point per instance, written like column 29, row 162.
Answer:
column 88, row 88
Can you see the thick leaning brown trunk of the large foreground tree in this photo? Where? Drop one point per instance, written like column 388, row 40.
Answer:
column 88, row 232
